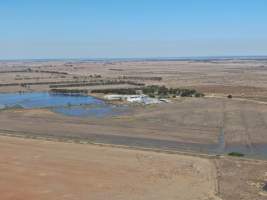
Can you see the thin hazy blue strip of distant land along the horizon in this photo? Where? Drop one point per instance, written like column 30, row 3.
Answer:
column 250, row 57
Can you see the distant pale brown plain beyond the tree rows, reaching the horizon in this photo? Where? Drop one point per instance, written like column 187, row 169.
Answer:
column 243, row 78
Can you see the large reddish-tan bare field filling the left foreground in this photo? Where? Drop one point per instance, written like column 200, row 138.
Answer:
column 32, row 169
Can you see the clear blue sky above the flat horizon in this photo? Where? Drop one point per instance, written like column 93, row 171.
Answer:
column 132, row 28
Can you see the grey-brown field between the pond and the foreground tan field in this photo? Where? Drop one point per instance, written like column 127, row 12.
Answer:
column 208, row 125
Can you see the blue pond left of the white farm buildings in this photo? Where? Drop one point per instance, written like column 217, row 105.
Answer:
column 71, row 105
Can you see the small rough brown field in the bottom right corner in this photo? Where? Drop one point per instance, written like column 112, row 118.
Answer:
column 241, row 179
